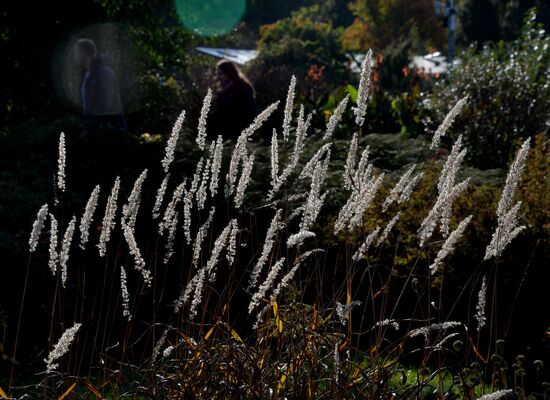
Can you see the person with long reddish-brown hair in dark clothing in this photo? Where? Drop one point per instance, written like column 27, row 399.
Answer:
column 235, row 104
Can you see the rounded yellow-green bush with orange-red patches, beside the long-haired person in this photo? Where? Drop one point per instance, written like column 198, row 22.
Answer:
column 306, row 45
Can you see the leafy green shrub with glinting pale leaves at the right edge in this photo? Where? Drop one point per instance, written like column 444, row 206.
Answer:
column 508, row 86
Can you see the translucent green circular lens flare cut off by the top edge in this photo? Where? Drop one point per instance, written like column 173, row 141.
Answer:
column 210, row 17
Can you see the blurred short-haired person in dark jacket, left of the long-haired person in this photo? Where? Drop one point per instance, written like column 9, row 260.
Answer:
column 99, row 91
